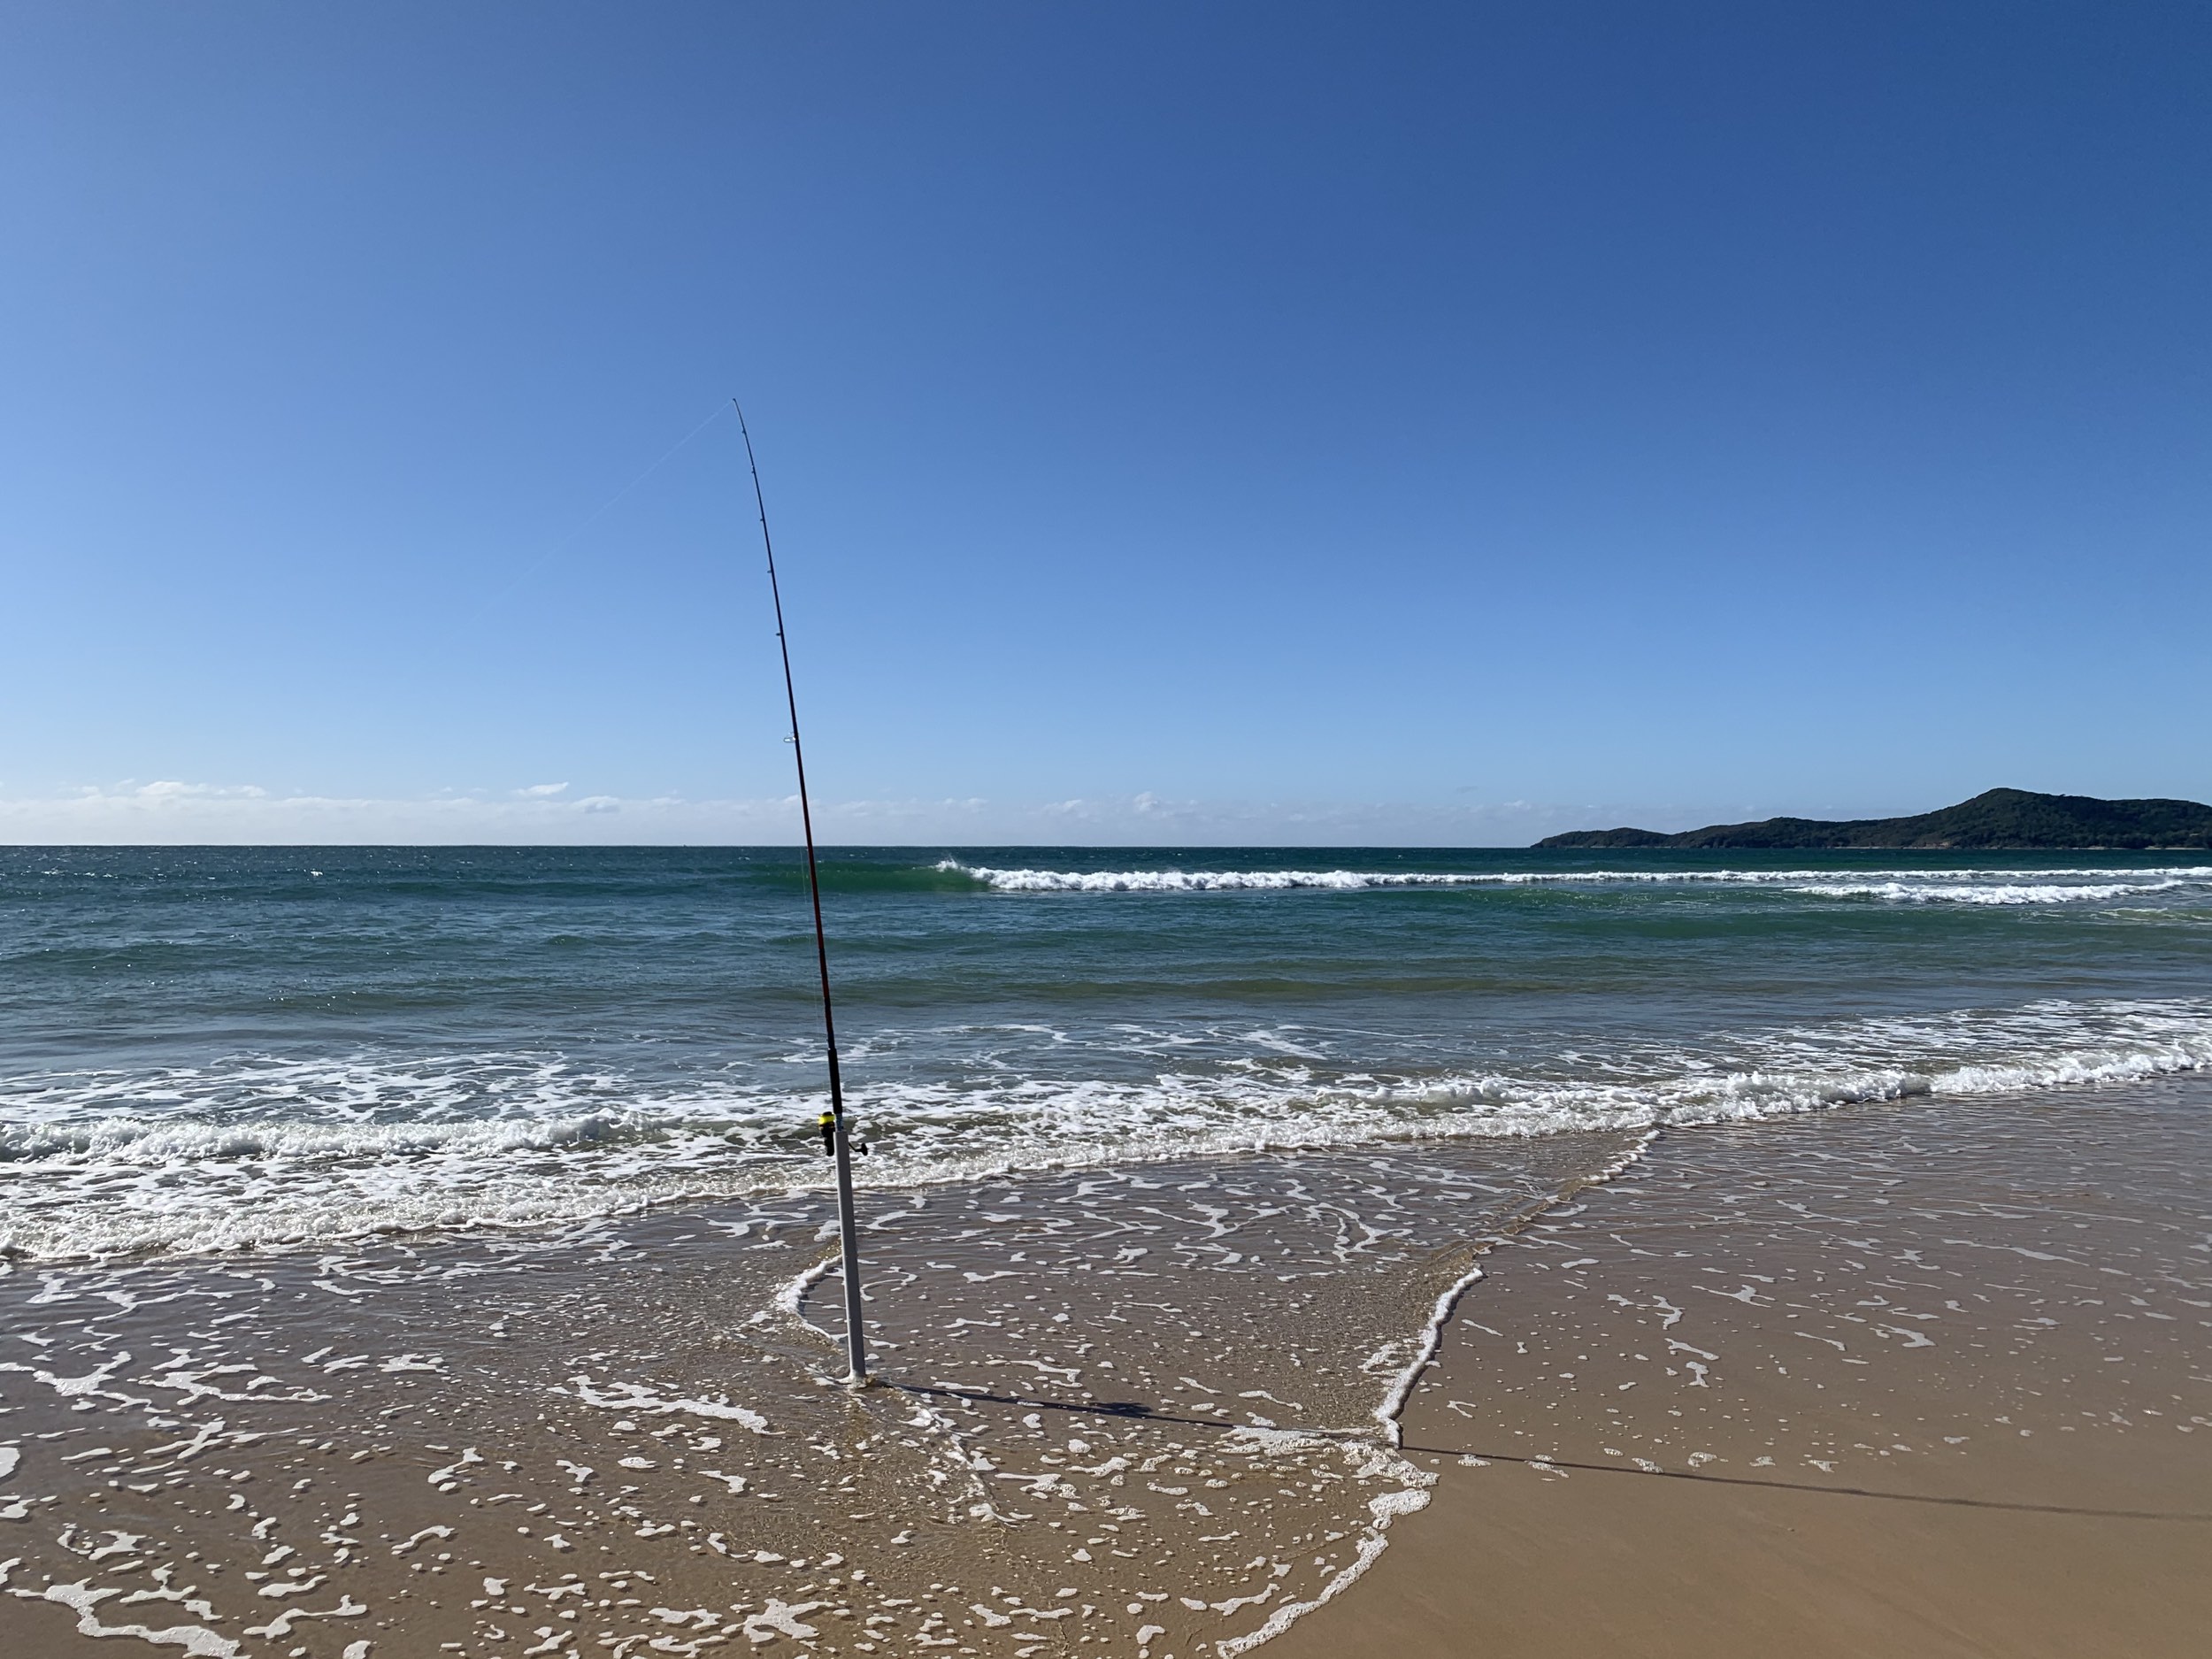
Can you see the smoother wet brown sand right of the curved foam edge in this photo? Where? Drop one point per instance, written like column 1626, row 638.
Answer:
column 1923, row 1379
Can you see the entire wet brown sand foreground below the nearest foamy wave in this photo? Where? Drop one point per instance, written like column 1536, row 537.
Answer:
column 1917, row 1379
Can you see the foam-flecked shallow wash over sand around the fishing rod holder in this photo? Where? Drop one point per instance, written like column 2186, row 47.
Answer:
column 1123, row 1412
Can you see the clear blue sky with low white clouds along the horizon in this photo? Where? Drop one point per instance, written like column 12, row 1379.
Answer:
column 1182, row 421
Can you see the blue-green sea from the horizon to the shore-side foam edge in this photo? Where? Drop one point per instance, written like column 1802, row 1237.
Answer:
column 251, row 1047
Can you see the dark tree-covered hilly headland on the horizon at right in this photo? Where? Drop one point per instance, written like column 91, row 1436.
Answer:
column 1994, row 822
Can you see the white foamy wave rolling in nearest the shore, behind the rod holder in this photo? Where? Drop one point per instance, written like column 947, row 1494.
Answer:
column 205, row 1160
